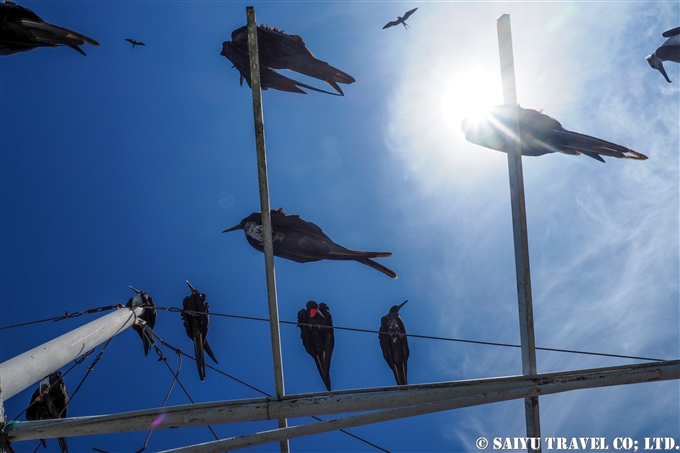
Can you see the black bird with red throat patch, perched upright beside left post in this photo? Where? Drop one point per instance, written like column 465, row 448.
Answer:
column 316, row 330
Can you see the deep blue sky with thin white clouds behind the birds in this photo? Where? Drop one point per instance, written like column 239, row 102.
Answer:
column 123, row 167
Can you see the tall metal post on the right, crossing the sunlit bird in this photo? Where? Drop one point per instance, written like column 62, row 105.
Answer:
column 519, row 224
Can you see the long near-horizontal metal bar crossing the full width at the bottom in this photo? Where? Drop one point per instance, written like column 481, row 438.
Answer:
column 292, row 406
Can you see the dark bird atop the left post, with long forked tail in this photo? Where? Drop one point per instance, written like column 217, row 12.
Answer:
column 278, row 50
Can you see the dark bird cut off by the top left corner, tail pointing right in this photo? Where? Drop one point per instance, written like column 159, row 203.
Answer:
column 22, row 30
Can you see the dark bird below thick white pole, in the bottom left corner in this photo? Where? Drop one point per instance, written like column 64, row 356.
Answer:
column 49, row 401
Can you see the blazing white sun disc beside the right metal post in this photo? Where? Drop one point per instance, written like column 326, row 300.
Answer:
column 470, row 93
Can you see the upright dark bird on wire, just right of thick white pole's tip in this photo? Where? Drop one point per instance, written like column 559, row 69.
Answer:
column 196, row 323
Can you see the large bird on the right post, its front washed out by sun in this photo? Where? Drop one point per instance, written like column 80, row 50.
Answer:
column 540, row 134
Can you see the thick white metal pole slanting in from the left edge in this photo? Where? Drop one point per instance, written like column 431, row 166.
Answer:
column 24, row 370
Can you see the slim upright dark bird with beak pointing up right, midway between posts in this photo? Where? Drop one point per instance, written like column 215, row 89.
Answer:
column 394, row 343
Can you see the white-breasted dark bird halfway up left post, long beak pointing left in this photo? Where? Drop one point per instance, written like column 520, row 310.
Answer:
column 301, row 241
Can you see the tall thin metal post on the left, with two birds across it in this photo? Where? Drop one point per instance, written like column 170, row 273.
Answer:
column 265, row 210
